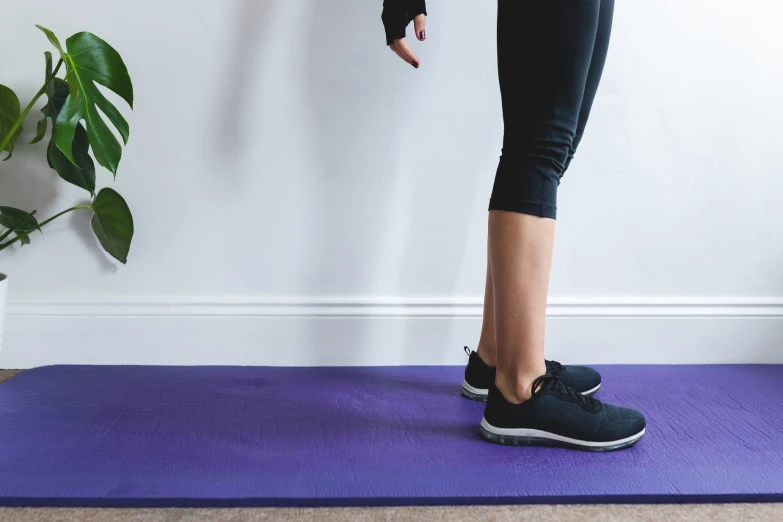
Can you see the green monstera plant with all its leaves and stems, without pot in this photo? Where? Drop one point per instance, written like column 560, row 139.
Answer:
column 78, row 111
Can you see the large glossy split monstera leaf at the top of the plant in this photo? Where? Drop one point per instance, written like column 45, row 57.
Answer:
column 90, row 60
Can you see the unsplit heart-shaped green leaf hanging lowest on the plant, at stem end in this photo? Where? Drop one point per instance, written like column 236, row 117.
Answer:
column 113, row 224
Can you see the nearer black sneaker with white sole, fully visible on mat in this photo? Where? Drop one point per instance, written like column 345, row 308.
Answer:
column 557, row 415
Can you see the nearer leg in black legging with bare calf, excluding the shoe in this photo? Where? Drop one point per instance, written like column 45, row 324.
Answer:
column 544, row 53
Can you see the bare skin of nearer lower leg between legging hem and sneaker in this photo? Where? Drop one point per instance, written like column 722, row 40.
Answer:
column 520, row 255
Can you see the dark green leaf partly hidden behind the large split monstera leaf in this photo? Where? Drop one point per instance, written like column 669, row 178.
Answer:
column 82, row 173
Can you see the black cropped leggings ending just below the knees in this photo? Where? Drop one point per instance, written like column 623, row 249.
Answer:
column 551, row 54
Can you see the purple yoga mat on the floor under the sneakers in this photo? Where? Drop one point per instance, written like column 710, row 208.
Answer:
column 244, row 436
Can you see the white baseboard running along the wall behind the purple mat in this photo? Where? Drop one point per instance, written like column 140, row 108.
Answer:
column 315, row 332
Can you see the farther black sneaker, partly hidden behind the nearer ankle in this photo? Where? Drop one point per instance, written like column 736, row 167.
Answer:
column 479, row 376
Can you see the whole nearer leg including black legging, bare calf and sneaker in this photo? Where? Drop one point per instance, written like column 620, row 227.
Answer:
column 544, row 54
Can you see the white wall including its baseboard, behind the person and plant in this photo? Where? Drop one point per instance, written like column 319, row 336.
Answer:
column 303, row 197
